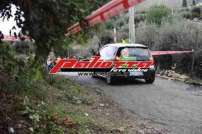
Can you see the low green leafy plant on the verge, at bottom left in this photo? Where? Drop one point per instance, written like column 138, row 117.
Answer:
column 41, row 118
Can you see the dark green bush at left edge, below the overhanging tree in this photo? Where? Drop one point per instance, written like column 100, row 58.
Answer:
column 18, row 71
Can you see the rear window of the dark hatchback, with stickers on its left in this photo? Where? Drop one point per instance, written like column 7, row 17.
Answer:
column 132, row 53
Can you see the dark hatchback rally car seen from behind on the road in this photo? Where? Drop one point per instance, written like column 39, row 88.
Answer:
column 127, row 52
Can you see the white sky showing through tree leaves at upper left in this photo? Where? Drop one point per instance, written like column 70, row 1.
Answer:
column 6, row 25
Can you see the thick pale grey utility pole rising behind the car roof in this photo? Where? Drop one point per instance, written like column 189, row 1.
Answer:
column 132, row 25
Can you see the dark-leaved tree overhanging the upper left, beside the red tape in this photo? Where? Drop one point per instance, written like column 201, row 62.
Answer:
column 46, row 20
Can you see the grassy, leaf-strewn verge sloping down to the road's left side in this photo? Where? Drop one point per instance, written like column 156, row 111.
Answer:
column 62, row 106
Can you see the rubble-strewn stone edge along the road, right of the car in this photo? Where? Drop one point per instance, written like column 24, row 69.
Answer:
column 188, row 81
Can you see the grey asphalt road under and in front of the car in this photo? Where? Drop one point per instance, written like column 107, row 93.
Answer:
column 174, row 105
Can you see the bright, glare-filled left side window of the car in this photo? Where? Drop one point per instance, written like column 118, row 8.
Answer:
column 107, row 53
